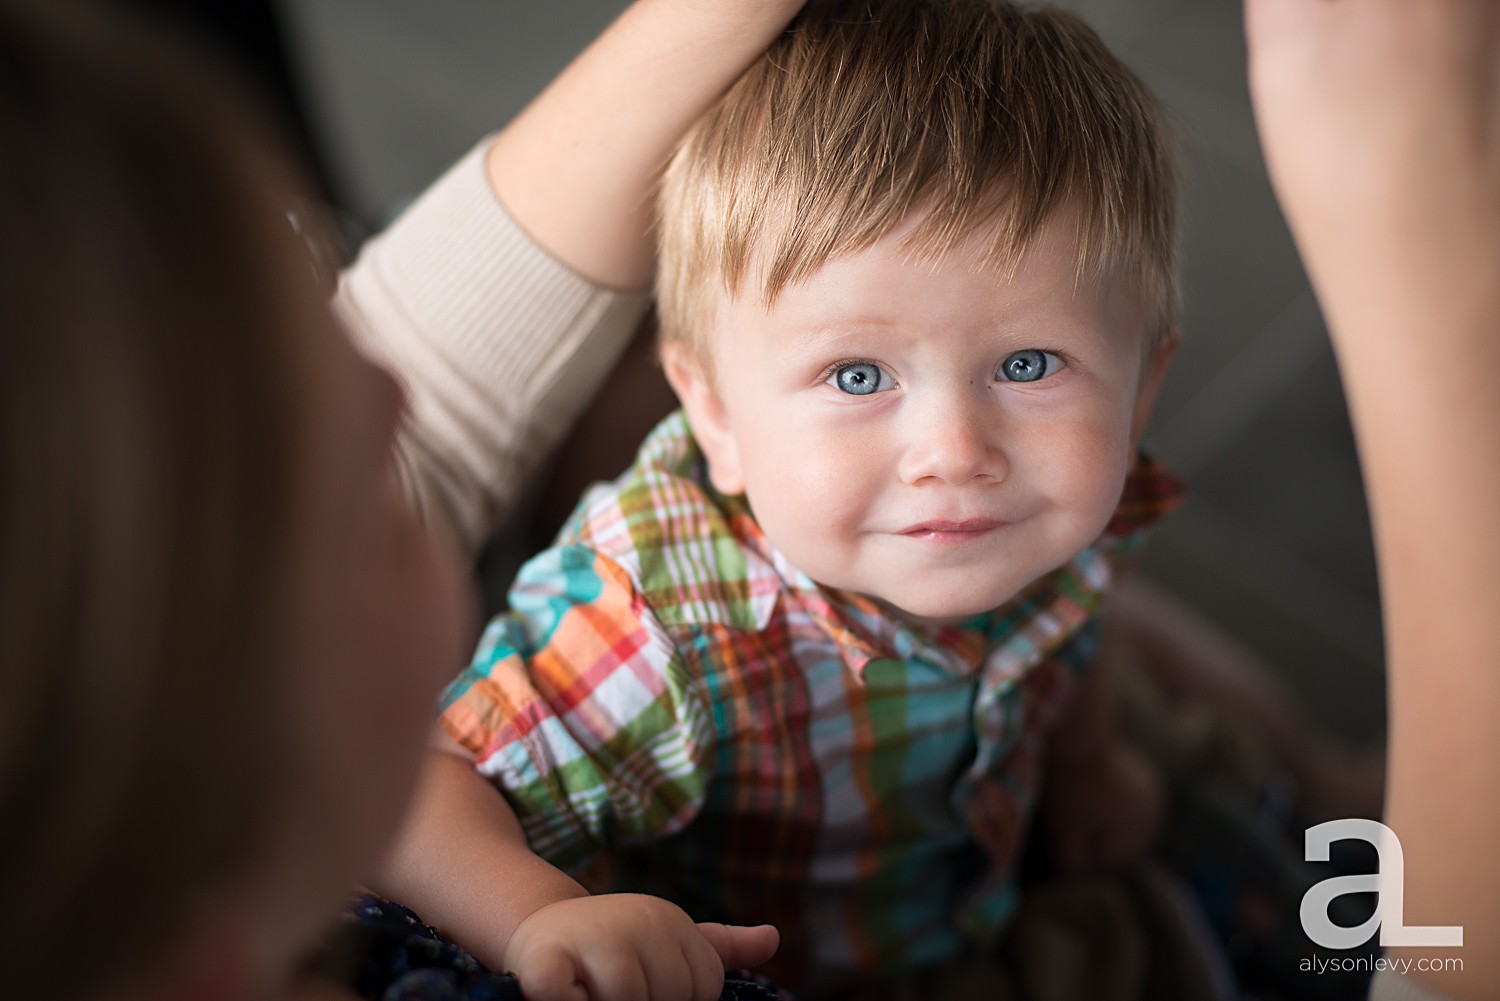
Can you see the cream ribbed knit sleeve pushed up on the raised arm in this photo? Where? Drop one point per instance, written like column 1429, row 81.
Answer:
column 499, row 346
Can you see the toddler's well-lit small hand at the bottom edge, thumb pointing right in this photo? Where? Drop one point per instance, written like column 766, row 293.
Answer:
column 629, row 948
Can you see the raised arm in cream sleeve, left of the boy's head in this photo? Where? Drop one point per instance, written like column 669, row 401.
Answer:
column 505, row 295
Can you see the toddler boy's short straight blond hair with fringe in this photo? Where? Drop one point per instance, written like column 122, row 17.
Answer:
column 976, row 113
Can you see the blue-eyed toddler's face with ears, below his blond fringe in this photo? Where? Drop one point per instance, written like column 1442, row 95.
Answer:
column 928, row 433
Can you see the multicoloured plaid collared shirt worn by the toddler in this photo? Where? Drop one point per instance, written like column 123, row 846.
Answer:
column 760, row 748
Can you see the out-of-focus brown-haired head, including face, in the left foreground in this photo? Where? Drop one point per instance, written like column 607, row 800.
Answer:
column 220, row 622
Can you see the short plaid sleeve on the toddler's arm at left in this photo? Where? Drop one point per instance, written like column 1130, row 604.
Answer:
column 580, row 709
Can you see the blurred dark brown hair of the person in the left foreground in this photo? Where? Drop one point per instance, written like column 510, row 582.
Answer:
column 148, row 479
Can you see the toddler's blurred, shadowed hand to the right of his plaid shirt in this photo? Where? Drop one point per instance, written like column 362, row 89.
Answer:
column 1105, row 811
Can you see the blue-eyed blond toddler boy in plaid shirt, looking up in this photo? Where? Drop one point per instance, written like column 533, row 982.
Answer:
column 811, row 657
